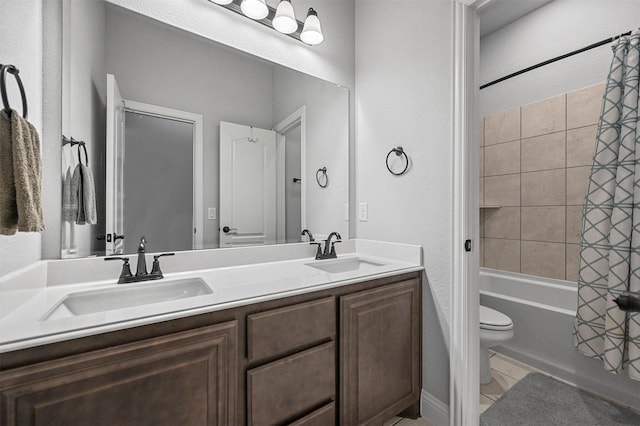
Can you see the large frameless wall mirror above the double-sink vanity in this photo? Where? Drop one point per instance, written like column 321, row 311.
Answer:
column 191, row 143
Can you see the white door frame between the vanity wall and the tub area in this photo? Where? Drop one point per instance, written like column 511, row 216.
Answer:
column 464, row 367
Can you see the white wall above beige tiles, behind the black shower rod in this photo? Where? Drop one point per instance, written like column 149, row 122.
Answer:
column 555, row 29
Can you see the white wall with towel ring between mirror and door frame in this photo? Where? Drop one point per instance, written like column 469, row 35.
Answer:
column 403, row 97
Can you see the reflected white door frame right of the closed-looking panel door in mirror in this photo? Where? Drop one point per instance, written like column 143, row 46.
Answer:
column 299, row 116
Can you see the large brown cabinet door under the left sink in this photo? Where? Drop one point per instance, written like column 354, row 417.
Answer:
column 183, row 378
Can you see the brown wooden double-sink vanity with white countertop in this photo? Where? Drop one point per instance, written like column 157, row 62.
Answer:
column 346, row 350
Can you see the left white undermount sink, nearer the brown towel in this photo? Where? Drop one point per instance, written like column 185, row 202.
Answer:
column 126, row 296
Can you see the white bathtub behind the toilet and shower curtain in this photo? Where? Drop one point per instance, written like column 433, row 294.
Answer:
column 542, row 311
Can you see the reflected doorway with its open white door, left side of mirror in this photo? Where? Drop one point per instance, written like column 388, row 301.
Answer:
column 154, row 161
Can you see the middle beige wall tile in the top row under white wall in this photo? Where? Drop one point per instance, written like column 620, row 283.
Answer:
column 547, row 116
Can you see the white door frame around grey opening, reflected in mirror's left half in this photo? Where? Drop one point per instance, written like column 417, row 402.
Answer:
column 198, row 158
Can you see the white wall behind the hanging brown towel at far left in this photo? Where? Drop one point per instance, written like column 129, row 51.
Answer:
column 21, row 45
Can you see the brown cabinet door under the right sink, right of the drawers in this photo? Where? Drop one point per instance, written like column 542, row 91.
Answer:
column 380, row 352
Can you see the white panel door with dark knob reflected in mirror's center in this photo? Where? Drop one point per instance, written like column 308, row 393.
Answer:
column 247, row 185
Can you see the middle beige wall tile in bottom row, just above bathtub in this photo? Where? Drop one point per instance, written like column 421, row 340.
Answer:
column 543, row 259
